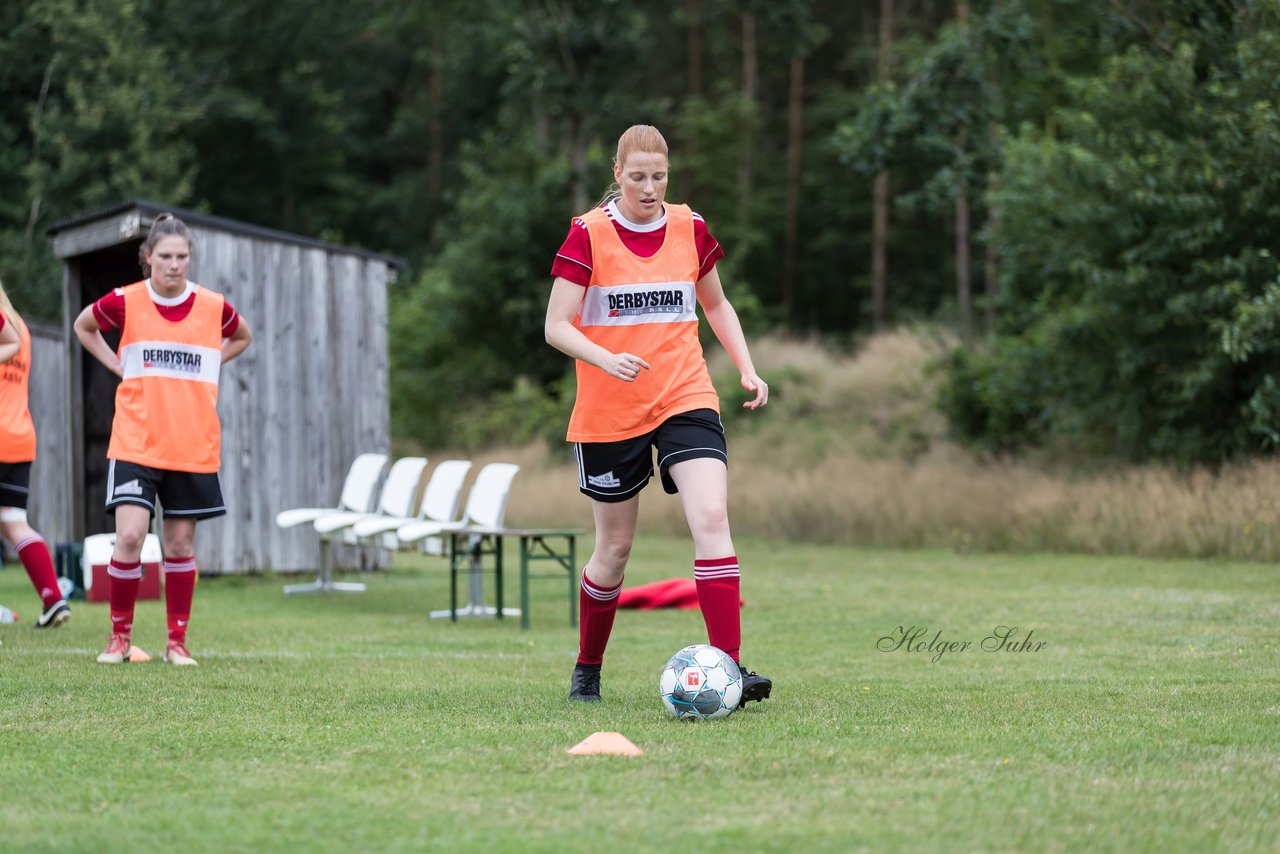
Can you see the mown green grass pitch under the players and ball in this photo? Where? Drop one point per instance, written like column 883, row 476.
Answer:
column 1149, row 721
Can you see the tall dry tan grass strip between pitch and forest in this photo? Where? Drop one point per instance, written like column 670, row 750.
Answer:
column 852, row 451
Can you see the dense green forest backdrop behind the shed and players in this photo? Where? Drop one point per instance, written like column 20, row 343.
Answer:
column 1121, row 159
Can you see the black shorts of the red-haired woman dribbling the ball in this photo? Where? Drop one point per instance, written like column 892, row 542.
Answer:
column 614, row 472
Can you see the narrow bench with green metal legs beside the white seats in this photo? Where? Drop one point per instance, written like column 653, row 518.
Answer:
column 469, row 547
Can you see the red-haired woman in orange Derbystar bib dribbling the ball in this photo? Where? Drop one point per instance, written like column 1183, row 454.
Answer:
column 628, row 282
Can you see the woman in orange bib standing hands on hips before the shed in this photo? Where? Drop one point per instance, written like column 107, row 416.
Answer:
column 166, row 436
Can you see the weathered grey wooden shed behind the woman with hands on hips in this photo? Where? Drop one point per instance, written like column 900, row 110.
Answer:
column 296, row 408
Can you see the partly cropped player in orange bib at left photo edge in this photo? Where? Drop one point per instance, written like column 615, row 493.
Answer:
column 17, row 454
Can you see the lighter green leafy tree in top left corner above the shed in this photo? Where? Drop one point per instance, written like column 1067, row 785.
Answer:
column 104, row 120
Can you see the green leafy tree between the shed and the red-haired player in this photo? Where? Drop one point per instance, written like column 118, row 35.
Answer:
column 473, row 325
